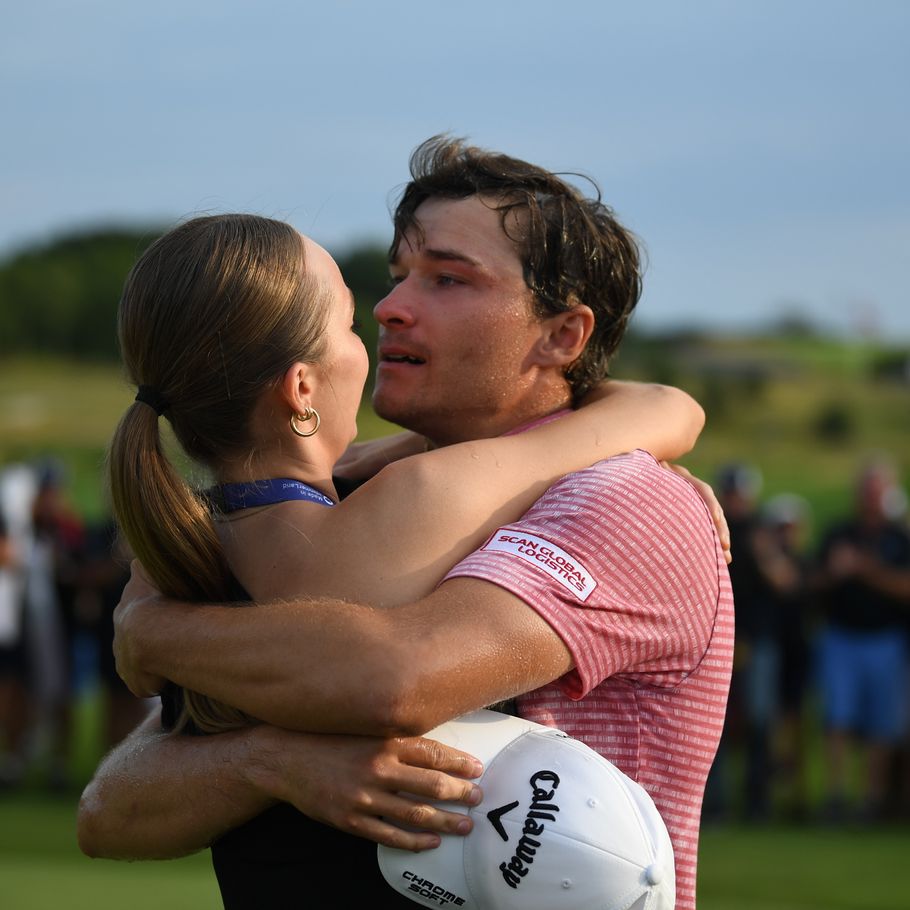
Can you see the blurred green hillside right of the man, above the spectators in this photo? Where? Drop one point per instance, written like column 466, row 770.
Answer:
column 804, row 409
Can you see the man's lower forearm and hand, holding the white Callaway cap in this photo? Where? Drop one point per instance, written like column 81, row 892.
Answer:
column 160, row 795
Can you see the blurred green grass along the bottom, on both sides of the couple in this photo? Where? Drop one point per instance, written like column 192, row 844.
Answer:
column 740, row 868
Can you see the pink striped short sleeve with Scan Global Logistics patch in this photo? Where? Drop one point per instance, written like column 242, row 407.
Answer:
column 623, row 562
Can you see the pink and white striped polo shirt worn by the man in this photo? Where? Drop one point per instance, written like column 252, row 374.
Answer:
column 623, row 561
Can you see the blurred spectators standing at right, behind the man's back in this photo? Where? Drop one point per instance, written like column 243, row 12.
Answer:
column 818, row 726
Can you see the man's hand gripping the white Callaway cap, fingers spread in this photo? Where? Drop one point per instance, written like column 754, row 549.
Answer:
column 367, row 786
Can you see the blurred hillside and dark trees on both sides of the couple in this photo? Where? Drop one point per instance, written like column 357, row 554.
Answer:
column 802, row 407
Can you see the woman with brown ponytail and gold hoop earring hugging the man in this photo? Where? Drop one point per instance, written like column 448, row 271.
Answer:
column 240, row 332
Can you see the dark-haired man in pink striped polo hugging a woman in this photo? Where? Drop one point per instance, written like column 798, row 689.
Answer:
column 610, row 599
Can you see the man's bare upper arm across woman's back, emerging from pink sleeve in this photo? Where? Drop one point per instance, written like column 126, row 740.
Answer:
column 398, row 670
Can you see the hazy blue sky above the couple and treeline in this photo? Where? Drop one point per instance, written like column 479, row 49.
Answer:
column 760, row 150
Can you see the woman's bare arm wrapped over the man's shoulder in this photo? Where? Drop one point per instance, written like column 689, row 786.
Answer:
column 393, row 539
